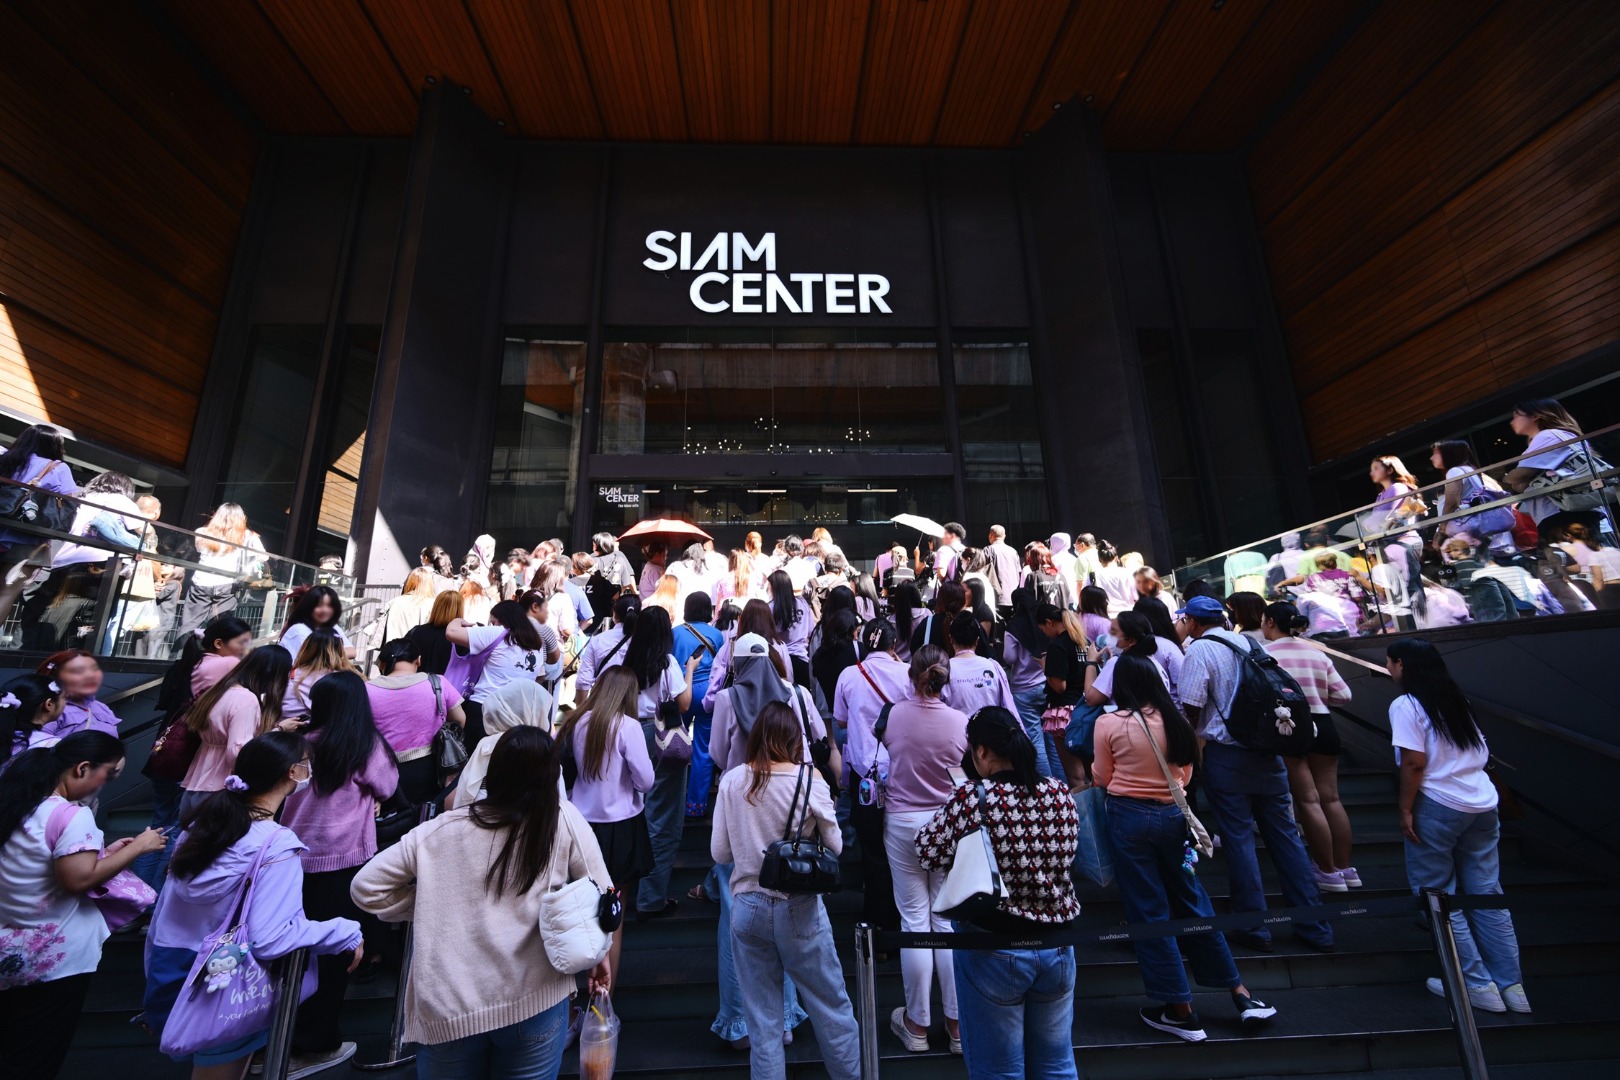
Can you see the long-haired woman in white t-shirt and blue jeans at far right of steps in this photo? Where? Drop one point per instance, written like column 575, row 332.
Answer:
column 1449, row 819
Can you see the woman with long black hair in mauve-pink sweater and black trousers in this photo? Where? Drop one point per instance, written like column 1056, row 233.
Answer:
column 351, row 772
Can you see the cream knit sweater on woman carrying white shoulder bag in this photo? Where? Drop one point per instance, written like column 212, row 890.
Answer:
column 479, row 961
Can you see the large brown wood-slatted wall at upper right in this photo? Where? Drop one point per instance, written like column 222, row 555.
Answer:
column 1441, row 210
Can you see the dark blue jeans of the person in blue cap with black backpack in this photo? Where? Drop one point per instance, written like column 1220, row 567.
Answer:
column 1250, row 791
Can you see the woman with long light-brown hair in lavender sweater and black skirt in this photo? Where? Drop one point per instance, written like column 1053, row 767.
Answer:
column 607, row 755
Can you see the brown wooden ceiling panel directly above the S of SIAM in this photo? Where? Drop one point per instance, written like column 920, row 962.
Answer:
column 631, row 57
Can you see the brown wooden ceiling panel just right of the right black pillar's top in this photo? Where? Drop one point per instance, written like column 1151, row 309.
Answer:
column 1188, row 51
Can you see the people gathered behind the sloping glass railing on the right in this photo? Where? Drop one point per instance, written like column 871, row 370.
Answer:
column 1452, row 558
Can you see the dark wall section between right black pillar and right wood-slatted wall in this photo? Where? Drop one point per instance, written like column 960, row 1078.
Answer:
column 1217, row 385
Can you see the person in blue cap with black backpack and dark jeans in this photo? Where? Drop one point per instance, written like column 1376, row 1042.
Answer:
column 1250, row 710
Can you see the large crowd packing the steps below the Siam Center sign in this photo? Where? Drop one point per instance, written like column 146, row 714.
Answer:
column 569, row 715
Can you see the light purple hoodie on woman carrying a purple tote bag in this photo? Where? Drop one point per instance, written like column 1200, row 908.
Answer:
column 190, row 911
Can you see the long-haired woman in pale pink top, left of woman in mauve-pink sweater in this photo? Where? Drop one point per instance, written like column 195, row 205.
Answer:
column 241, row 707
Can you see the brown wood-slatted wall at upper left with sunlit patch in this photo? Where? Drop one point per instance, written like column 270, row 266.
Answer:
column 119, row 221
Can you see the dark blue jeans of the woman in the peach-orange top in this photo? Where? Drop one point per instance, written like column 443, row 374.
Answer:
column 1149, row 846
